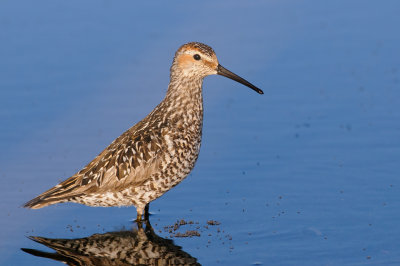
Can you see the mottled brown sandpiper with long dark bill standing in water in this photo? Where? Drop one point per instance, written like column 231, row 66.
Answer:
column 157, row 153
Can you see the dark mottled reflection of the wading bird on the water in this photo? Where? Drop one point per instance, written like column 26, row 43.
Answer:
column 136, row 247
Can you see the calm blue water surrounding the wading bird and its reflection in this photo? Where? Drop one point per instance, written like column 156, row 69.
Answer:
column 307, row 174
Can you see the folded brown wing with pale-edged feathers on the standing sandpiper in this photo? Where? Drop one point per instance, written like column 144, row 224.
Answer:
column 127, row 161
